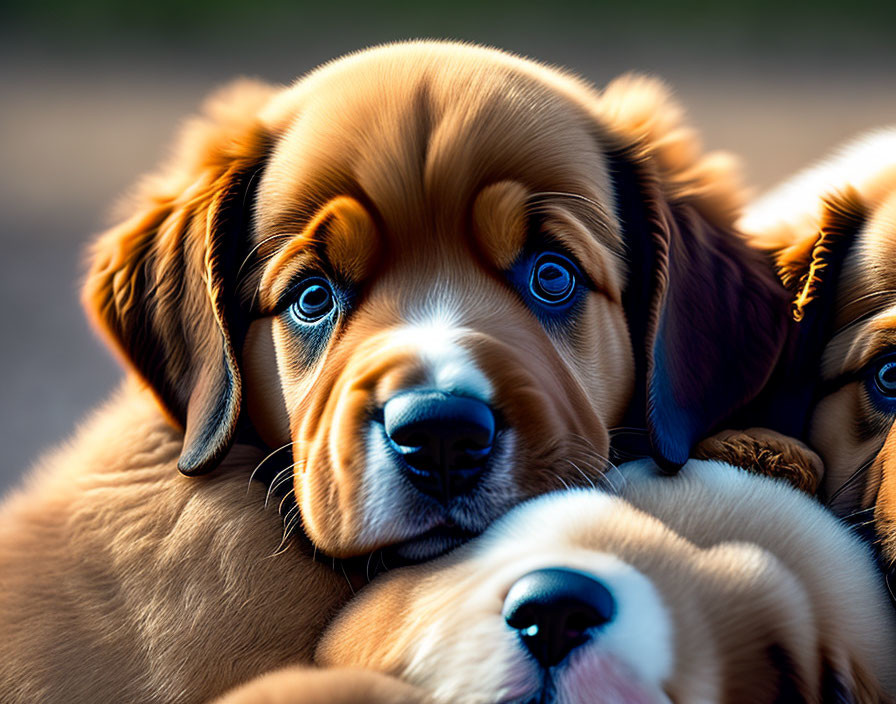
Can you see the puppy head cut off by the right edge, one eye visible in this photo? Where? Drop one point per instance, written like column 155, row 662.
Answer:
column 833, row 231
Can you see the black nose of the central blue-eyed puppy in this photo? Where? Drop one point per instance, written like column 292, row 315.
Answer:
column 444, row 439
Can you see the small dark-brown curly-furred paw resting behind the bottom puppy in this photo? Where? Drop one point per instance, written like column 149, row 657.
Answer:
column 765, row 452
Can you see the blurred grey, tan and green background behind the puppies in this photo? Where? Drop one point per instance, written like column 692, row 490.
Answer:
column 91, row 93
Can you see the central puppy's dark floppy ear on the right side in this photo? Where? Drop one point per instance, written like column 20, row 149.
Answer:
column 706, row 311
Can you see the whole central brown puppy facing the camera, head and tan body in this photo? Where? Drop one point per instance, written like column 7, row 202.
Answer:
column 424, row 273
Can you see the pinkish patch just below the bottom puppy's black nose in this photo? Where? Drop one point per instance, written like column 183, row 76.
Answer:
column 600, row 679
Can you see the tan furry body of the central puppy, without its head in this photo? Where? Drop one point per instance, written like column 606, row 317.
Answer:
column 122, row 580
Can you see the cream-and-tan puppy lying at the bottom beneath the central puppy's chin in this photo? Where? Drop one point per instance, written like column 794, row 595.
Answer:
column 584, row 597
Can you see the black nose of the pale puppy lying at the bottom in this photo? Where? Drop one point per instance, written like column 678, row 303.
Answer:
column 554, row 609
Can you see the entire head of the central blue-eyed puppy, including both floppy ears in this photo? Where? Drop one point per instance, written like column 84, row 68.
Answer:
column 439, row 275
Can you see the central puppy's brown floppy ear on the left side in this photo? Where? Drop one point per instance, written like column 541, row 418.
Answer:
column 160, row 283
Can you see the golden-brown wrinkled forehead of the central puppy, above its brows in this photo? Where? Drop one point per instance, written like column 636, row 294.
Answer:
column 415, row 136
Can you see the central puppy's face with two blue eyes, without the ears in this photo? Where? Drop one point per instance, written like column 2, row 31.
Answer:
column 476, row 284
